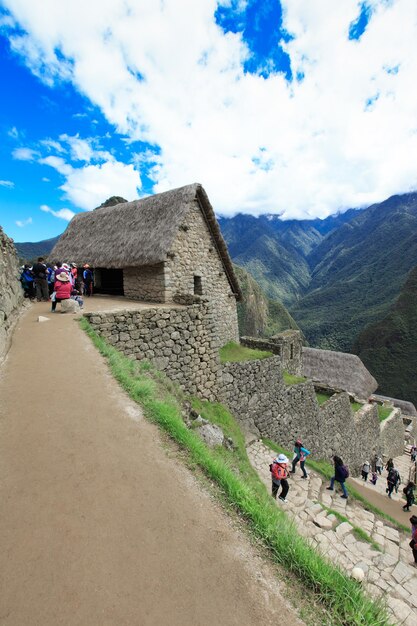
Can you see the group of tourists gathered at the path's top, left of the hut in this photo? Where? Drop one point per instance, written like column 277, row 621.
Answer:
column 55, row 283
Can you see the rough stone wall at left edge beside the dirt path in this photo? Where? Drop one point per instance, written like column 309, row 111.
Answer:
column 11, row 292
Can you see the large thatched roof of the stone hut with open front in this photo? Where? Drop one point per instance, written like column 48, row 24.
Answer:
column 138, row 233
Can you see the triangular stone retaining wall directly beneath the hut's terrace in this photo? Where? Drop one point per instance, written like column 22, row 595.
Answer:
column 180, row 341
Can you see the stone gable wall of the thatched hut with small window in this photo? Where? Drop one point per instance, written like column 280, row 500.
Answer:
column 195, row 267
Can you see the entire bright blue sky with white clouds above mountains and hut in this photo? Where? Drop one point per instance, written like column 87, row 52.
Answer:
column 300, row 108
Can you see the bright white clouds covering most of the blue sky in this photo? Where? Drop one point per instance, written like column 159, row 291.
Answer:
column 257, row 144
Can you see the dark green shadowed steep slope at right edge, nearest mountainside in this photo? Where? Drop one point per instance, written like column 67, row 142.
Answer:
column 389, row 348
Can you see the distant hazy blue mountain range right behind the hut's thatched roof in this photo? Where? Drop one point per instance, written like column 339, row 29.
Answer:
column 276, row 251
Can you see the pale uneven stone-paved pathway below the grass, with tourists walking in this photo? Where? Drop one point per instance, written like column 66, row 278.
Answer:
column 388, row 572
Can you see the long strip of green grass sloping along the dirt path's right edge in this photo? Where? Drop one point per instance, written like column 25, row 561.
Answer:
column 344, row 600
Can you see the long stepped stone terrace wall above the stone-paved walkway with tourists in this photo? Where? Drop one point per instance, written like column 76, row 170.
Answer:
column 265, row 406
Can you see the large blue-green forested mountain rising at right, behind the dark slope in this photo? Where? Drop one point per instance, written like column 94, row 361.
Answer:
column 357, row 272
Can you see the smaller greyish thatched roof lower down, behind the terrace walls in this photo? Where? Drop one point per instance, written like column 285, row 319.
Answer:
column 339, row 370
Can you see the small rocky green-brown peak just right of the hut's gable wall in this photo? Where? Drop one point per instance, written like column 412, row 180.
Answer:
column 258, row 315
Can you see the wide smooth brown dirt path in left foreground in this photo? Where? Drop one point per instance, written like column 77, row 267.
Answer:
column 98, row 525
